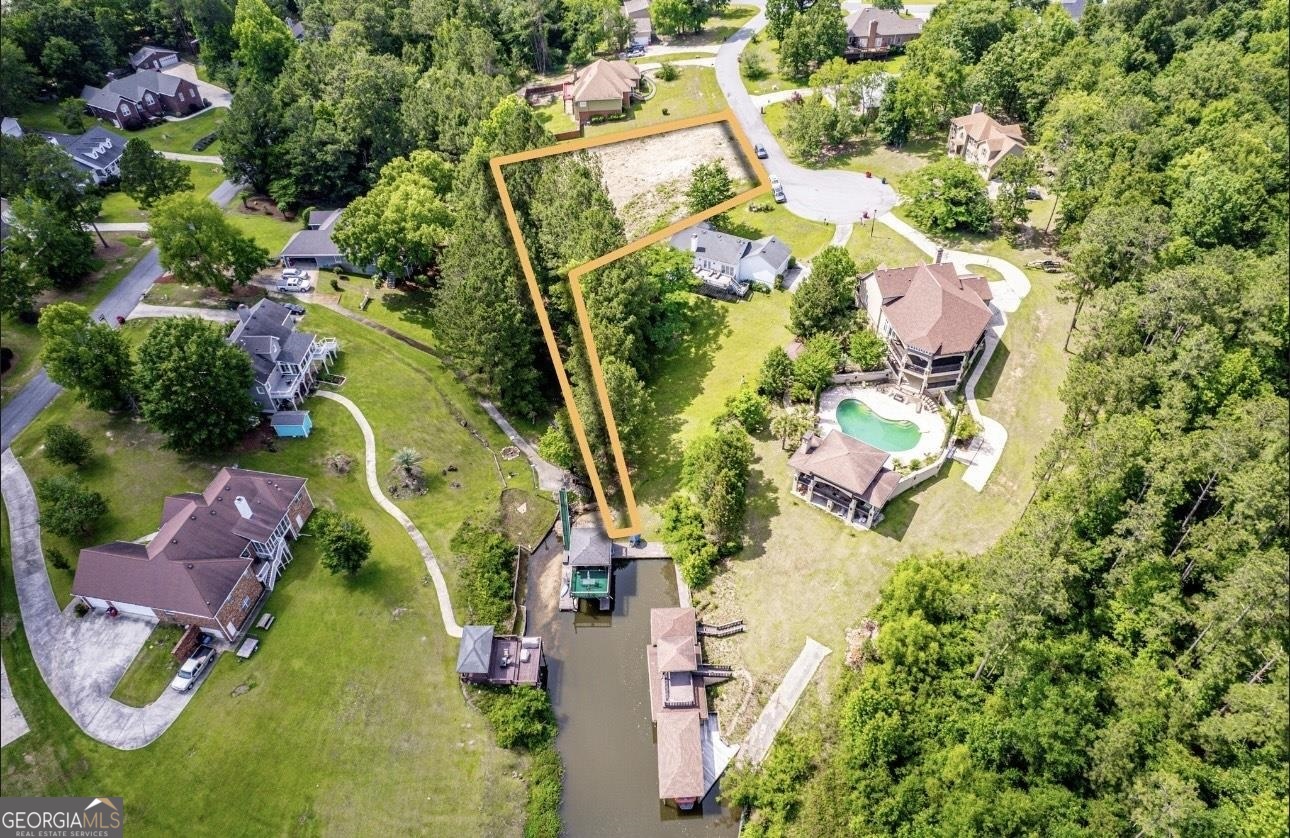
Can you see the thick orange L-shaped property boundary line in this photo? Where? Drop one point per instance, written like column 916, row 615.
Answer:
column 580, row 305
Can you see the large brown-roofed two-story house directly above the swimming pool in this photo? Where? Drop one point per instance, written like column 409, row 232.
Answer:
column 933, row 320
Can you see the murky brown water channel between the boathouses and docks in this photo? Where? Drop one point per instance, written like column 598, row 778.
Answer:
column 598, row 683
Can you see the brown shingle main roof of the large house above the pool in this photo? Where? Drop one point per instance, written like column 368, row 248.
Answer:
column 935, row 310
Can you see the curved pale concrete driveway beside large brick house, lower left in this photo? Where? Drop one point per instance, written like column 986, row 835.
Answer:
column 81, row 658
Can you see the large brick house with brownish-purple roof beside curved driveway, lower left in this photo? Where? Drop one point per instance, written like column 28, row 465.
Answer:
column 212, row 560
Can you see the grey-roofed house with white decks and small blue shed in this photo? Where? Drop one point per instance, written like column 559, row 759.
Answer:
column 286, row 362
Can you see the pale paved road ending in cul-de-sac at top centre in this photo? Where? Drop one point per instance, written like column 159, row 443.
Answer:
column 834, row 198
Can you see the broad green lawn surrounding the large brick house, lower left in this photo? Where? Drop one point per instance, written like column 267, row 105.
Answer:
column 350, row 719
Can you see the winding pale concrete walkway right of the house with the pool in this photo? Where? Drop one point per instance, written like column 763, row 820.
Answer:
column 984, row 456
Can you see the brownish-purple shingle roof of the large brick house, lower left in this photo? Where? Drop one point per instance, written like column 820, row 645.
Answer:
column 197, row 558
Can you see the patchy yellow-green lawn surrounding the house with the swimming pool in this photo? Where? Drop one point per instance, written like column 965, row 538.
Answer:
column 803, row 573
